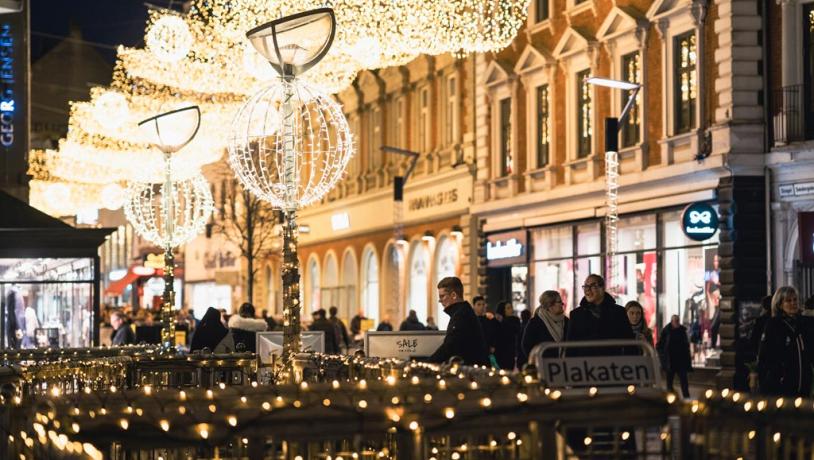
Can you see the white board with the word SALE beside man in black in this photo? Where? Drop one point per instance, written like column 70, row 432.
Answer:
column 403, row 345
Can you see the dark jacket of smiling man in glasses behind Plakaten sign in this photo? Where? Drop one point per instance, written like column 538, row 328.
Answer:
column 612, row 323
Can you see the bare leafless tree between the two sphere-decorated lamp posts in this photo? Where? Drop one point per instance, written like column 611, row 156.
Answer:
column 249, row 223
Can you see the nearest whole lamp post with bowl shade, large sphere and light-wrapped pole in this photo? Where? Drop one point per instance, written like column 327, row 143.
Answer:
column 290, row 143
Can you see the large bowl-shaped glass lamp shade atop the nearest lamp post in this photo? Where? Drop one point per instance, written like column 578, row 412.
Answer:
column 295, row 43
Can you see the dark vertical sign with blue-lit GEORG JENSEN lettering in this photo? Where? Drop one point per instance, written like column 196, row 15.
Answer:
column 14, row 89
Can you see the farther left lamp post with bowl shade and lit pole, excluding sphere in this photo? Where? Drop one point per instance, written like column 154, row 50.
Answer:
column 170, row 132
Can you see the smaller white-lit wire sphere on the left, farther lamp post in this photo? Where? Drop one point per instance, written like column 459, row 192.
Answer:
column 192, row 201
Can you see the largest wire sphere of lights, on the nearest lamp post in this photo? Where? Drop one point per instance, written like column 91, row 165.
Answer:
column 321, row 139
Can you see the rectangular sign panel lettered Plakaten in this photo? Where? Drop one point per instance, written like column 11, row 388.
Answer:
column 598, row 371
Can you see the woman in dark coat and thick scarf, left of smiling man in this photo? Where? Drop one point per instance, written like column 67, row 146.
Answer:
column 548, row 324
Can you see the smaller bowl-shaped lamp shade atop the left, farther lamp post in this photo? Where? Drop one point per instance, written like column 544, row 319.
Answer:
column 171, row 131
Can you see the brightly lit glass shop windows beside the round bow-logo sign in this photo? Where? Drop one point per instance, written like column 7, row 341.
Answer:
column 657, row 264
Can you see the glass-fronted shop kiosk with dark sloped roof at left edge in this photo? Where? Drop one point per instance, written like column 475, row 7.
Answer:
column 49, row 279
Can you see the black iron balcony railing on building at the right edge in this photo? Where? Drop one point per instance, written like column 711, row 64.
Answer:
column 790, row 115
